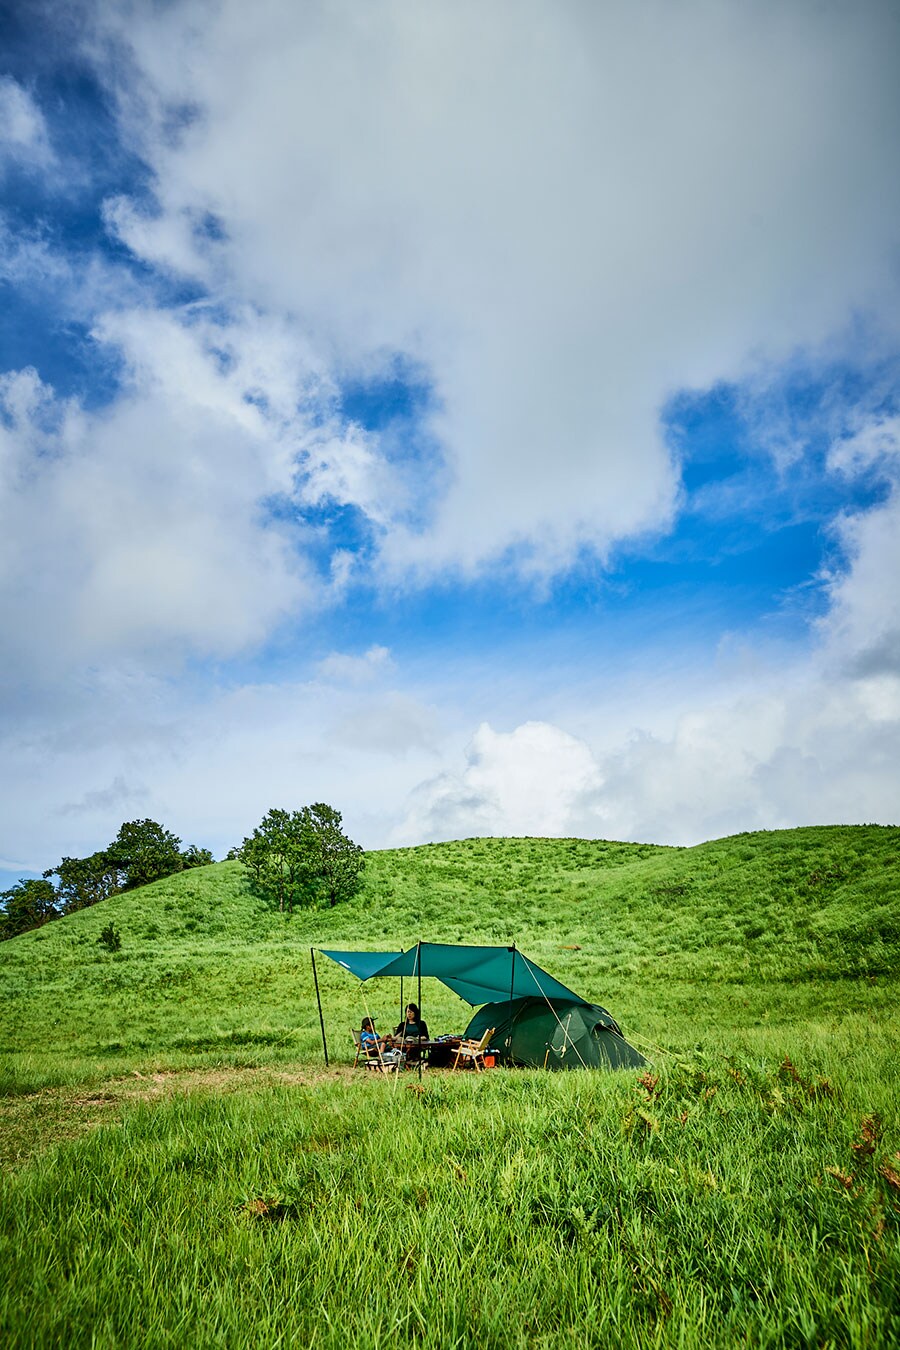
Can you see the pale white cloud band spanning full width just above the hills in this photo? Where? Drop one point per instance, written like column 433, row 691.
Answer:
column 759, row 747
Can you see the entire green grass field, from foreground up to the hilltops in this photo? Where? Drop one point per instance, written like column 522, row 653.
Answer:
column 180, row 1168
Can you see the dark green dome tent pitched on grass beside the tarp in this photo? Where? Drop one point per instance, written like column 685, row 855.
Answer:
column 555, row 1035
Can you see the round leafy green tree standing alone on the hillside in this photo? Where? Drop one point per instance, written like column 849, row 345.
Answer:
column 303, row 858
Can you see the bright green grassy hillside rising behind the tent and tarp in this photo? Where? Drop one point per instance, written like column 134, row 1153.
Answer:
column 207, row 970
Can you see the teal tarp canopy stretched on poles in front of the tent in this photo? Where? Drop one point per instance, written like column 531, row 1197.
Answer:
column 477, row 974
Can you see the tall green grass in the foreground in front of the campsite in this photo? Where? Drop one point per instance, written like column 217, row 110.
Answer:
column 720, row 1202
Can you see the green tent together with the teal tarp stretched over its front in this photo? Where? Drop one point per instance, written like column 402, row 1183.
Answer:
column 538, row 1020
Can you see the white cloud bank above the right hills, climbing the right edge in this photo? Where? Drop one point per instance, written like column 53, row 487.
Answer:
column 810, row 742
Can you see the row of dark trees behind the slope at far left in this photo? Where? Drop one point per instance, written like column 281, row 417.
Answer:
column 141, row 853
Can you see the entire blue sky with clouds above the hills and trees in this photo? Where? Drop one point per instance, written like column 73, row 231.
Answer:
column 481, row 418
